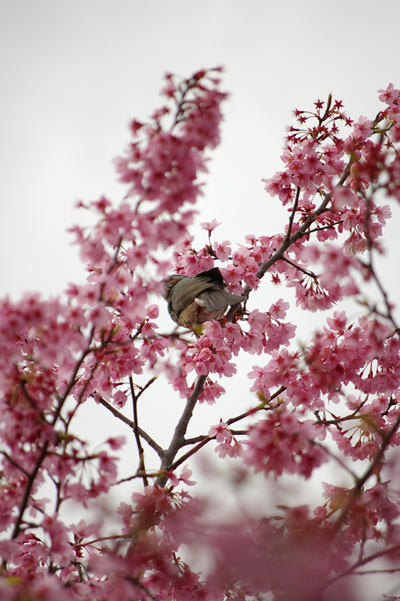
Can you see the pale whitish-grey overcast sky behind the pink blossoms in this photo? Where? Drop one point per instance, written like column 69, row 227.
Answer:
column 74, row 73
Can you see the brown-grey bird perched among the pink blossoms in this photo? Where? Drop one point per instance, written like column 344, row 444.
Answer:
column 196, row 299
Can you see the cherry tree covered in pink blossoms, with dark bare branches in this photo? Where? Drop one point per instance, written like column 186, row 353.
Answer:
column 332, row 403
